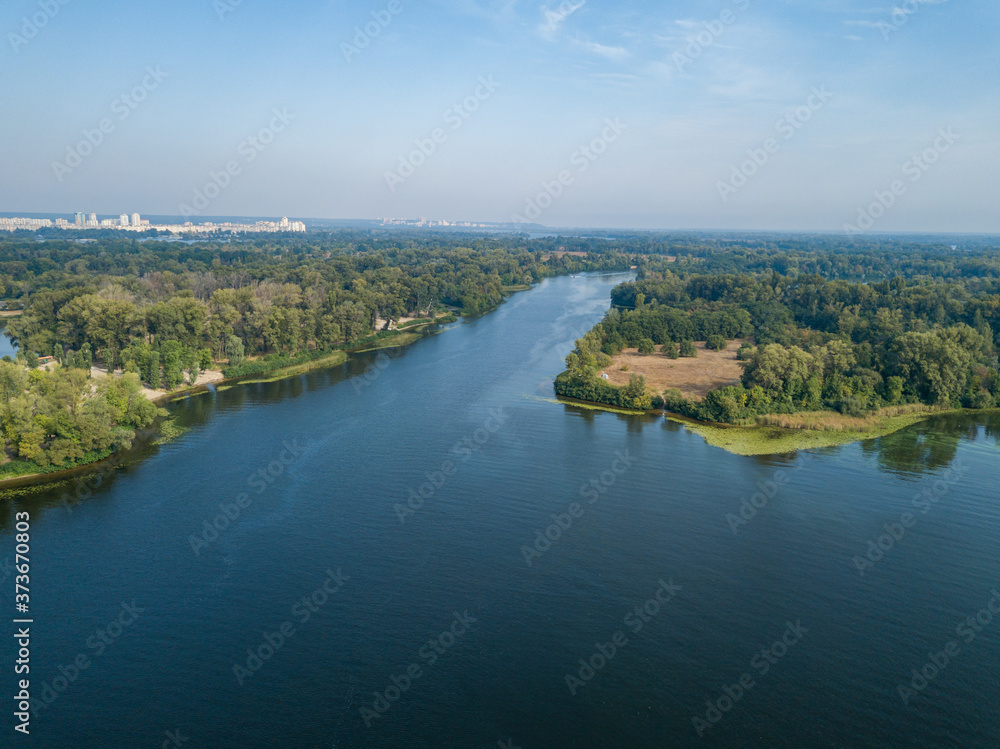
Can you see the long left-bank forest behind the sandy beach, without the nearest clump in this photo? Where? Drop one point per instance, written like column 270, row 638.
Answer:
column 166, row 311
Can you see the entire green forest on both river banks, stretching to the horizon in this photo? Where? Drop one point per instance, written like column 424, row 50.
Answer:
column 845, row 324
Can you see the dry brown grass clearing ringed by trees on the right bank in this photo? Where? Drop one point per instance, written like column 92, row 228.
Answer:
column 693, row 377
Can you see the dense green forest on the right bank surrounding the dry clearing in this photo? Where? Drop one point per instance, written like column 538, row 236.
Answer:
column 818, row 344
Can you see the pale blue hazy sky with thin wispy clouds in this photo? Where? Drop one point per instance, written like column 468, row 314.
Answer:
column 831, row 115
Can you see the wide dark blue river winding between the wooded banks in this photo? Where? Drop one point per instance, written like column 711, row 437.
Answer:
column 343, row 584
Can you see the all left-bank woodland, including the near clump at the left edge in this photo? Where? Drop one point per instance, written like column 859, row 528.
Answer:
column 161, row 312
